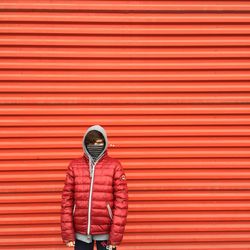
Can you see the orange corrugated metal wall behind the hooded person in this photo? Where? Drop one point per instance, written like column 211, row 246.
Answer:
column 169, row 80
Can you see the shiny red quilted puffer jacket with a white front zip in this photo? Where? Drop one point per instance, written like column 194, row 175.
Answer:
column 108, row 200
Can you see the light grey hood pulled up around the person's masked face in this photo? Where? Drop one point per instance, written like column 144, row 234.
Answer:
column 103, row 131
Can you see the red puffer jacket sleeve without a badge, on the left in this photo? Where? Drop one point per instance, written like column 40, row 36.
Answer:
column 67, row 203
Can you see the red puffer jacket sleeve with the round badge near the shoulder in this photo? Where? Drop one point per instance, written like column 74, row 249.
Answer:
column 120, row 210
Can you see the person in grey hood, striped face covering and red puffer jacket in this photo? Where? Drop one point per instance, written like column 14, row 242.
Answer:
column 94, row 204
